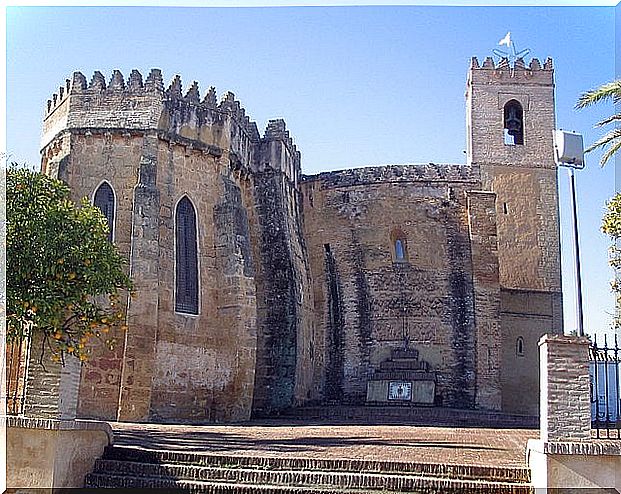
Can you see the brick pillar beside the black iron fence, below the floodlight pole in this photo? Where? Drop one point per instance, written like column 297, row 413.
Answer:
column 565, row 394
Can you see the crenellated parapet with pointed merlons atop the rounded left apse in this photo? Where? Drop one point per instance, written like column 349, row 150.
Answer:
column 137, row 106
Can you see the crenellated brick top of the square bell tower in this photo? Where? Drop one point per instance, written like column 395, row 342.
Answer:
column 533, row 73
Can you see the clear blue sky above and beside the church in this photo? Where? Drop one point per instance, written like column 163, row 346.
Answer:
column 357, row 85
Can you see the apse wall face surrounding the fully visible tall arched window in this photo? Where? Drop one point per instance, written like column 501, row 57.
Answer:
column 203, row 365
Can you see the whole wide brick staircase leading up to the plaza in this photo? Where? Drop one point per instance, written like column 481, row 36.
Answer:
column 135, row 467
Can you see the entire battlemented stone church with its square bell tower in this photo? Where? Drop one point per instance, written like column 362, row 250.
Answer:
column 259, row 288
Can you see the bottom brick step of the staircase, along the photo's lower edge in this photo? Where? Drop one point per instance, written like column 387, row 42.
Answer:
column 420, row 484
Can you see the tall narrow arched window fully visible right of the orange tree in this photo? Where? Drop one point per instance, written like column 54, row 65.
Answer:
column 186, row 258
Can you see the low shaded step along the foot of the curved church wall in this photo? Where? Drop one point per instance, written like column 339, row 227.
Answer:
column 403, row 413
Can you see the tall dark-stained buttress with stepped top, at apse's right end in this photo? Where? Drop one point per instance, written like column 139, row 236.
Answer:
column 285, row 356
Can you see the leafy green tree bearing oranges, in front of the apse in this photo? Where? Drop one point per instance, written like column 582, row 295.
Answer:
column 64, row 278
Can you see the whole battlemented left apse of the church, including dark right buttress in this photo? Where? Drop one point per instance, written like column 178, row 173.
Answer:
column 154, row 146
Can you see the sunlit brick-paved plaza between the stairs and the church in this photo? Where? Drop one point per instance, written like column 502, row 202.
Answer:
column 465, row 446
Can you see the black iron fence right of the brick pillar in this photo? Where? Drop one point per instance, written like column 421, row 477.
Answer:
column 605, row 389
